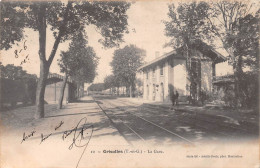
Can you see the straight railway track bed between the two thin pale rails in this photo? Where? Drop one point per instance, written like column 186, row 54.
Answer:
column 137, row 125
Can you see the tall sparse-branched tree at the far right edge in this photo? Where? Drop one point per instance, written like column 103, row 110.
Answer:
column 235, row 24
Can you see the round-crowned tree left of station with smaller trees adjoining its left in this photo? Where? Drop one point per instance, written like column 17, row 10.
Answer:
column 125, row 63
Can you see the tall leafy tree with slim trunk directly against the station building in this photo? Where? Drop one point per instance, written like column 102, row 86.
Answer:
column 185, row 28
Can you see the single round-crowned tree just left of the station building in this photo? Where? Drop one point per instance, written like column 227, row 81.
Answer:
column 125, row 63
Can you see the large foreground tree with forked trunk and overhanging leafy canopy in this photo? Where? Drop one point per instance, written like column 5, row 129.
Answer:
column 63, row 19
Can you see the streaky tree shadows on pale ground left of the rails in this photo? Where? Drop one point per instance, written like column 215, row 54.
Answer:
column 21, row 119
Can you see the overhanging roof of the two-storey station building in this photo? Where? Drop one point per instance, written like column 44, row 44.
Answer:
column 199, row 45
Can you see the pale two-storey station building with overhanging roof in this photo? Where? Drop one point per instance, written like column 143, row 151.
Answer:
column 170, row 73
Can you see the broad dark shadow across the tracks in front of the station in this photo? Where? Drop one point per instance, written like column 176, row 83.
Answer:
column 192, row 126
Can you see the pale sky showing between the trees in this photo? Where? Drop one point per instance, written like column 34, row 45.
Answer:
column 146, row 31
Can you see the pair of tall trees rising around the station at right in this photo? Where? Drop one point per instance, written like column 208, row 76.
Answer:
column 231, row 25
